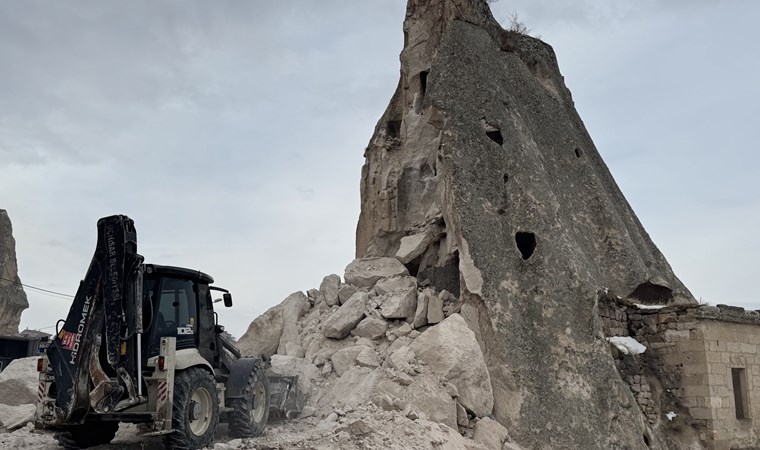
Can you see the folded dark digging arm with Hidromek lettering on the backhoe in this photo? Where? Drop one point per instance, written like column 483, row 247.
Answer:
column 94, row 360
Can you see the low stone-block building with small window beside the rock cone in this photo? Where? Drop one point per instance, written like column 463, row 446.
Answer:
column 701, row 368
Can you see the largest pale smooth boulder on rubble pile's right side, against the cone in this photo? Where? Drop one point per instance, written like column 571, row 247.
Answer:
column 451, row 351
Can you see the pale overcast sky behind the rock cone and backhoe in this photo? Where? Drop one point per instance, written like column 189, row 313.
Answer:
column 232, row 132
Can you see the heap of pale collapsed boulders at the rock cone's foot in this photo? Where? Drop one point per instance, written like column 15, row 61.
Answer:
column 382, row 340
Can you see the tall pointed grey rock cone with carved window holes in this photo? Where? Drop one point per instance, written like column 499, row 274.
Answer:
column 481, row 178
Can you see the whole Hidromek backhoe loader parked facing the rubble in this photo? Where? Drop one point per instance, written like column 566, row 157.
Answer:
column 142, row 344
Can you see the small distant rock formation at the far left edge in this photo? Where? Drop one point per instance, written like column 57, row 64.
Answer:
column 12, row 297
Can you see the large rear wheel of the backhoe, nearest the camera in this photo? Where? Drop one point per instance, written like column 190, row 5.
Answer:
column 195, row 412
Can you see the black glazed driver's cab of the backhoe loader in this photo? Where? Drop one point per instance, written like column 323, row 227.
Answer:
column 177, row 302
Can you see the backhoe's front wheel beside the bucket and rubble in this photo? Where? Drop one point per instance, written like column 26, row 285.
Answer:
column 250, row 413
